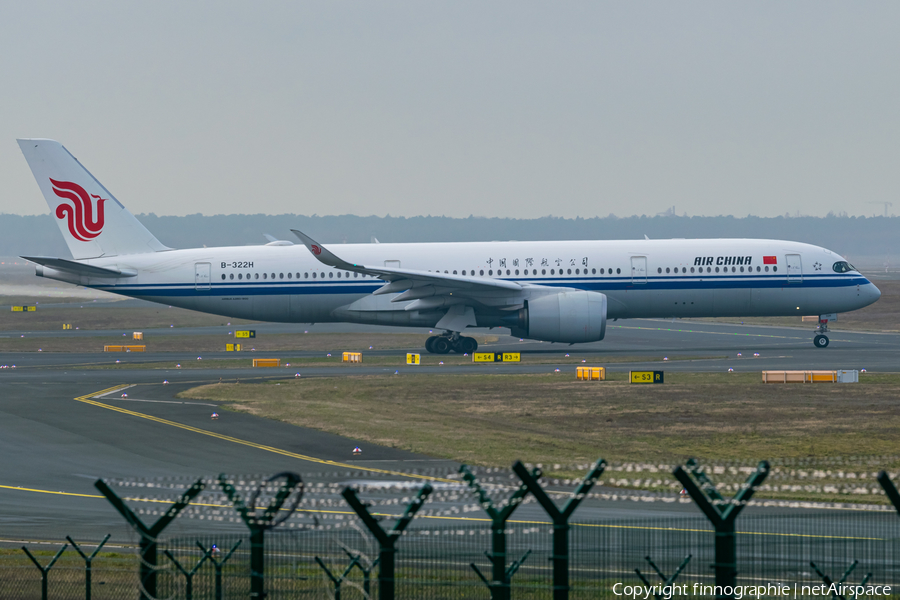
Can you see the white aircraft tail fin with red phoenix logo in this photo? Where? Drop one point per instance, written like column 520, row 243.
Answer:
column 91, row 220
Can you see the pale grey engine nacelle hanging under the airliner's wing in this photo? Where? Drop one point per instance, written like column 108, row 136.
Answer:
column 572, row 317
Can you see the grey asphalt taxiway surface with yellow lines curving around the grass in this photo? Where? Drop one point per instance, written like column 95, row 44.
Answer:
column 53, row 445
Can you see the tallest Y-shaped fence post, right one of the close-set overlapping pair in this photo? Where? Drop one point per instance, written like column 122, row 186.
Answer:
column 560, row 519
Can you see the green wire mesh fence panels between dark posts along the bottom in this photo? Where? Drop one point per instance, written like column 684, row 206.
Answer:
column 435, row 562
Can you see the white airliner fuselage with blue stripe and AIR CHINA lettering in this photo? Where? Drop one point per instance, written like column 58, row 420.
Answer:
column 641, row 278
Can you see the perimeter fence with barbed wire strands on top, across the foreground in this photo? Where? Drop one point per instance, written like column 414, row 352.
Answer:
column 427, row 533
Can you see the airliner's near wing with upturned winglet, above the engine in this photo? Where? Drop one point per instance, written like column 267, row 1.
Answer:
column 414, row 284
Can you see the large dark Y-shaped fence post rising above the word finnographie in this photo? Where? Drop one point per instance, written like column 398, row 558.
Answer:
column 722, row 517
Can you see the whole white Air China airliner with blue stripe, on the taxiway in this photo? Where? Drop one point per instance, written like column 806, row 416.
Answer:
column 551, row 291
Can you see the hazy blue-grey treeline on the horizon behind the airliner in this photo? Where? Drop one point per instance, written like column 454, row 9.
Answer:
column 850, row 236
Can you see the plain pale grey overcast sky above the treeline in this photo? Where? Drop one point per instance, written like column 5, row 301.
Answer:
column 489, row 108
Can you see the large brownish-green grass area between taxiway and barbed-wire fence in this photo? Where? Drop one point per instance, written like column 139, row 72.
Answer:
column 495, row 419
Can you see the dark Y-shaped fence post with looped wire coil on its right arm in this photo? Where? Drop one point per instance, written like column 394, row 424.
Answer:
column 258, row 524
